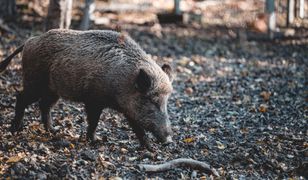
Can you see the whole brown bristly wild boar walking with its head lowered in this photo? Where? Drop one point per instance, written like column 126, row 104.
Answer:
column 102, row 69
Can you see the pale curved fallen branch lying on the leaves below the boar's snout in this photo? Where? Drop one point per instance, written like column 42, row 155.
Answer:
column 181, row 162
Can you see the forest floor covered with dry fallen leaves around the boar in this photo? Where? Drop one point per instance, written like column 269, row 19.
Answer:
column 239, row 105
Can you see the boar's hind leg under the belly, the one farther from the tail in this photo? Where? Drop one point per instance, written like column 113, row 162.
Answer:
column 45, row 104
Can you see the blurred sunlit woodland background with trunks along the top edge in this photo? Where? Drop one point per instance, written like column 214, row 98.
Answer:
column 257, row 16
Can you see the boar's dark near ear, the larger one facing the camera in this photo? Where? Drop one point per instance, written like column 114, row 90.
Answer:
column 143, row 81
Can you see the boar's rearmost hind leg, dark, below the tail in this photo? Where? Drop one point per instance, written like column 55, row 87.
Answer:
column 24, row 99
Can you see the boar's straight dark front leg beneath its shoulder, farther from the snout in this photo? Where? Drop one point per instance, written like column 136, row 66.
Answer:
column 93, row 114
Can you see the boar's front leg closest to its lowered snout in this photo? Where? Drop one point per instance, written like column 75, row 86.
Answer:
column 141, row 135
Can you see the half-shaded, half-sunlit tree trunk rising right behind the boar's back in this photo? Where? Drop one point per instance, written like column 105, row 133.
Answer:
column 59, row 14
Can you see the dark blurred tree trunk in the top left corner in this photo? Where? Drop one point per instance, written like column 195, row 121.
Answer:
column 7, row 9
